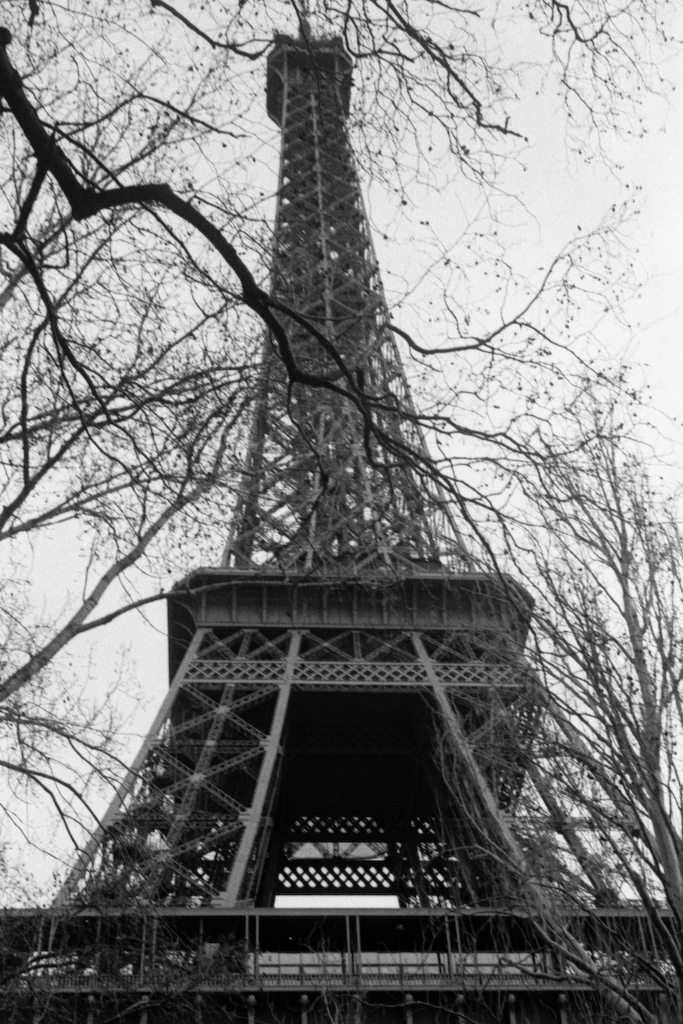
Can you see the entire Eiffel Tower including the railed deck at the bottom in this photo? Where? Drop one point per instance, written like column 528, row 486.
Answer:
column 337, row 732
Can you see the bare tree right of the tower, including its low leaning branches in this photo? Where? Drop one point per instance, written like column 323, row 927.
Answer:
column 593, row 851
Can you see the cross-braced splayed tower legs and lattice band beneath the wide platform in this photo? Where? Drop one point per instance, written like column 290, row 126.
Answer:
column 308, row 761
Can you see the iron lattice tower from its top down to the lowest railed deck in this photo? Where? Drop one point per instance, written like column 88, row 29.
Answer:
column 295, row 752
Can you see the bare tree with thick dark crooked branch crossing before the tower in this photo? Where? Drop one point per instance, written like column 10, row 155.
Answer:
column 135, row 268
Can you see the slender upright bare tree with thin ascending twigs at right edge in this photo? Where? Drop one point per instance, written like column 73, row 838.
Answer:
column 611, row 645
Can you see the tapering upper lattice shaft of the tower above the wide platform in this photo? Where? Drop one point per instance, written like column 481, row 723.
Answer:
column 336, row 471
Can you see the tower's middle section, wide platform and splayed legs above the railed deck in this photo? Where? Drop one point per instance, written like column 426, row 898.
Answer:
column 347, row 736
